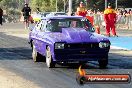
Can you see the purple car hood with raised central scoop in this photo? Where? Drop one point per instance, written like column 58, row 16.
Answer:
column 76, row 35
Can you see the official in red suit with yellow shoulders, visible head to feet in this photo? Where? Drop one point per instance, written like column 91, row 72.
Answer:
column 110, row 20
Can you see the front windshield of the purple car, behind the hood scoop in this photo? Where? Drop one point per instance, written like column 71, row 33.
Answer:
column 56, row 25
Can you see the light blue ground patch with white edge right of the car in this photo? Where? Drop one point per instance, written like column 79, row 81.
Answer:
column 121, row 42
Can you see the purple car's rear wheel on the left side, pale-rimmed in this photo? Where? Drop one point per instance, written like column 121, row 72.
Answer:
column 35, row 55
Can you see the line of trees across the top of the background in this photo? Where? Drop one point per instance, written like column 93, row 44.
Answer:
column 62, row 5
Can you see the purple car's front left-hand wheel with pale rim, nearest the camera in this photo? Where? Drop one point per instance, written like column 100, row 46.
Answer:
column 49, row 59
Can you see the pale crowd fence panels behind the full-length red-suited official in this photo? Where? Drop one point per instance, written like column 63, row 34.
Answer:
column 122, row 22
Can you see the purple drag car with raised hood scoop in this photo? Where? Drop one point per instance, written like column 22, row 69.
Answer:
column 68, row 39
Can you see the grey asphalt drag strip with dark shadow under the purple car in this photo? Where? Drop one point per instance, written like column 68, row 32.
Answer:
column 15, row 57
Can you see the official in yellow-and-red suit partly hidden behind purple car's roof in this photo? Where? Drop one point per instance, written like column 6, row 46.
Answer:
column 81, row 10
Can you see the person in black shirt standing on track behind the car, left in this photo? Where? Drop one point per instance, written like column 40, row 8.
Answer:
column 26, row 13
